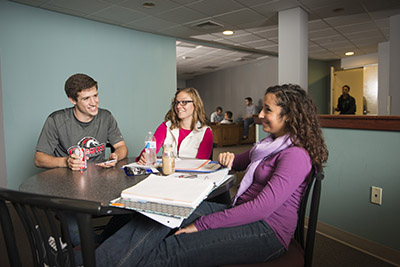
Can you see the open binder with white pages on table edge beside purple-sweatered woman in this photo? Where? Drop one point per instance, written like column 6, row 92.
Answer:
column 169, row 210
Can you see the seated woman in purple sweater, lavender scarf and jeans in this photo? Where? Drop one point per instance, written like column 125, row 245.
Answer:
column 262, row 220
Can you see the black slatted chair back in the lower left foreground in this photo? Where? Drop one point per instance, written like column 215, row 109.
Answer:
column 44, row 221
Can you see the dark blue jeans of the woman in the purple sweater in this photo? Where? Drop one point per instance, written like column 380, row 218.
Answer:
column 144, row 242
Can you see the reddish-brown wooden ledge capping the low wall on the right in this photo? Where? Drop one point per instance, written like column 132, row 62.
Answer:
column 380, row 123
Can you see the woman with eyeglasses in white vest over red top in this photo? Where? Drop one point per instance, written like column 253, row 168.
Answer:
column 185, row 127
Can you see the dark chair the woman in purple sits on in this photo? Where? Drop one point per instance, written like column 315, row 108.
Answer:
column 300, row 251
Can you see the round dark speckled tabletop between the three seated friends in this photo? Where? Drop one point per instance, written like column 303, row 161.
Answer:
column 96, row 183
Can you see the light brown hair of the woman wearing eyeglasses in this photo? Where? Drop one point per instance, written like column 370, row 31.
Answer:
column 199, row 115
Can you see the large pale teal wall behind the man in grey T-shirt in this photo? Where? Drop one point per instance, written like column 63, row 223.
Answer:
column 40, row 49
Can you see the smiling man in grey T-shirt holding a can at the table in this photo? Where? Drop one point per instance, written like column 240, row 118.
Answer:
column 85, row 125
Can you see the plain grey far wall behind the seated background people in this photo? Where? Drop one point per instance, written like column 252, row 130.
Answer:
column 228, row 88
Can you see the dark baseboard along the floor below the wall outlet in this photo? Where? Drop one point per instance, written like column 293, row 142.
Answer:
column 366, row 246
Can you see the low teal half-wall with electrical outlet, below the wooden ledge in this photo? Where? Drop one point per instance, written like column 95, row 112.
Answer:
column 358, row 160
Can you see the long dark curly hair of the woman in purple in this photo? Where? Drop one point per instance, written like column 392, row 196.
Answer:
column 302, row 122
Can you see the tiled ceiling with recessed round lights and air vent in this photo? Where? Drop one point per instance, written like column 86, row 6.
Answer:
column 335, row 26
